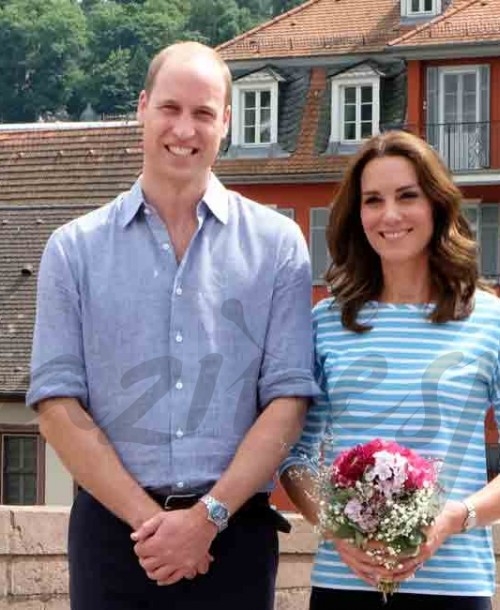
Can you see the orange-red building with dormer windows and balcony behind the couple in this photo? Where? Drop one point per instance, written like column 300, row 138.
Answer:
column 311, row 84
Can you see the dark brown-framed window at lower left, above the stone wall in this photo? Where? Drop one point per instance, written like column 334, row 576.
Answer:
column 23, row 465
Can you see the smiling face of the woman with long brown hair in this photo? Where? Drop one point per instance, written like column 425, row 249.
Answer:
column 396, row 215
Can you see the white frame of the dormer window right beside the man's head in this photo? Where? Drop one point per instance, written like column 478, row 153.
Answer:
column 257, row 84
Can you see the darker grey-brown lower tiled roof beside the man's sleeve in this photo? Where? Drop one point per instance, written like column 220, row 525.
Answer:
column 23, row 234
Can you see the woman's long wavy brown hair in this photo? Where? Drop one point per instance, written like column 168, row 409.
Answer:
column 355, row 274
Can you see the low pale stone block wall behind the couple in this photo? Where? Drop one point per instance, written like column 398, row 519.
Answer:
column 34, row 574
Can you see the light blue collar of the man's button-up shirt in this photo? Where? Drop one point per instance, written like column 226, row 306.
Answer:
column 216, row 198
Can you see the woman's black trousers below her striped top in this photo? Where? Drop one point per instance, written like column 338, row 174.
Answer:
column 338, row 599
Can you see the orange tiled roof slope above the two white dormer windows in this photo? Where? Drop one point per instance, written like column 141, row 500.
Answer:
column 320, row 27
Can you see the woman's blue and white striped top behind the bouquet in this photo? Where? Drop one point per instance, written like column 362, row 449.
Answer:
column 427, row 386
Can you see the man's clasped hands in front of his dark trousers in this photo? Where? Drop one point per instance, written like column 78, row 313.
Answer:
column 175, row 544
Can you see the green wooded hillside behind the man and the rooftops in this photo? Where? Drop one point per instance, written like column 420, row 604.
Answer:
column 59, row 55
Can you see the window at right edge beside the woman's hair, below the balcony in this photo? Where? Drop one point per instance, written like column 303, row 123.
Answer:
column 484, row 221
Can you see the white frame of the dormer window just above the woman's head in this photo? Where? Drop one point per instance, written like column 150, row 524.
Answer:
column 339, row 84
